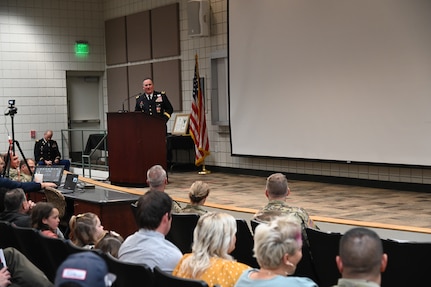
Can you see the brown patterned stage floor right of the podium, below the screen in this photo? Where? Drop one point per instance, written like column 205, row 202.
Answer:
column 406, row 208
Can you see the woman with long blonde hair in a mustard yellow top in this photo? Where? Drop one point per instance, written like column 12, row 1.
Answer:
column 213, row 239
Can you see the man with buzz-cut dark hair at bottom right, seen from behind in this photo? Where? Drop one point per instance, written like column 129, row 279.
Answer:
column 361, row 259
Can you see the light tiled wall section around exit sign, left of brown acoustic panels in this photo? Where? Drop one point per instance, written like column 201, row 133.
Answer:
column 36, row 49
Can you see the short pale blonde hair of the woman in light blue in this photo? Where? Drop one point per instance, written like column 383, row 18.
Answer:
column 273, row 240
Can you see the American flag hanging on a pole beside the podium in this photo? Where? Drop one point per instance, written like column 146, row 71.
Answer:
column 198, row 126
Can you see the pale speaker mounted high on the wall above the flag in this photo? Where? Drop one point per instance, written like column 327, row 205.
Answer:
column 198, row 12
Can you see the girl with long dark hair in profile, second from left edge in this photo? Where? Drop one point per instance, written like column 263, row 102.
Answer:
column 45, row 217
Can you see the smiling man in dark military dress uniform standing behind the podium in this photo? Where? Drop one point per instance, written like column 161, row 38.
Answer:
column 152, row 102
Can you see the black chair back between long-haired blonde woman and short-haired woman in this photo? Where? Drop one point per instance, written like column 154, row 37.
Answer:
column 243, row 251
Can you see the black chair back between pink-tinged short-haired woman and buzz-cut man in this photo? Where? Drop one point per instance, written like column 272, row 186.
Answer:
column 324, row 248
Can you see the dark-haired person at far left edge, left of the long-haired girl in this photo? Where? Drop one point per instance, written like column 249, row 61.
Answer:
column 17, row 208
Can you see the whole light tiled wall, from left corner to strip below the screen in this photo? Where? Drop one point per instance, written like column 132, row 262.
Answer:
column 36, row 50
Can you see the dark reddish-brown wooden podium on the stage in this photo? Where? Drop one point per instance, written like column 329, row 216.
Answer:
column 137, row 141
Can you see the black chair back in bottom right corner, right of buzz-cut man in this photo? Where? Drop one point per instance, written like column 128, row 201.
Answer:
column 406, row 265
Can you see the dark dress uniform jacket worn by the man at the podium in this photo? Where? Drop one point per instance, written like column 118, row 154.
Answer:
column 158, row 106
